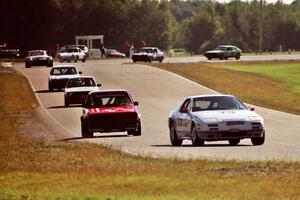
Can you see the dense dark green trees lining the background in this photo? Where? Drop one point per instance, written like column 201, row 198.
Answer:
column 193, row 24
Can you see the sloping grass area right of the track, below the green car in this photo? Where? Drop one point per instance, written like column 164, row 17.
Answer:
column 271, row 84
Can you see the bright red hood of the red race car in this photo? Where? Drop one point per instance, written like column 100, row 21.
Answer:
column 117, row 109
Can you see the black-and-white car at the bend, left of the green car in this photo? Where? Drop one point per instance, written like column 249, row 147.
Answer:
column 148, row 54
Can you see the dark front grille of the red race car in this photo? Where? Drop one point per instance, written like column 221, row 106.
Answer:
column 114, row 121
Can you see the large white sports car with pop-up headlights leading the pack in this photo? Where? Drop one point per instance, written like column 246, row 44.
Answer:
column 215, row 117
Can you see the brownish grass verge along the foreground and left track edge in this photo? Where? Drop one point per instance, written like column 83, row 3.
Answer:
column 33, row 169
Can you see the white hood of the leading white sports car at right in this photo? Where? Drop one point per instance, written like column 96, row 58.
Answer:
column 227, row 115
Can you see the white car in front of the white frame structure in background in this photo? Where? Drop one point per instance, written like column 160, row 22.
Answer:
column 71, row 54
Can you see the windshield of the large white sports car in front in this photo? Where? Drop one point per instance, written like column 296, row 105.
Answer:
column 217, row 103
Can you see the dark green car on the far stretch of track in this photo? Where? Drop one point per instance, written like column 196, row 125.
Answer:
column 224, row 52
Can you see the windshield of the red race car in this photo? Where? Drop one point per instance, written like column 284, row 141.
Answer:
column 109, row 100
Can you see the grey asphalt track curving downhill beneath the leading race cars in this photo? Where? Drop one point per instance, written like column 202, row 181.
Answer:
column 158, row 92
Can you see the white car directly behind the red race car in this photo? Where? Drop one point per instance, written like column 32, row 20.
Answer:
column 78, row 88
